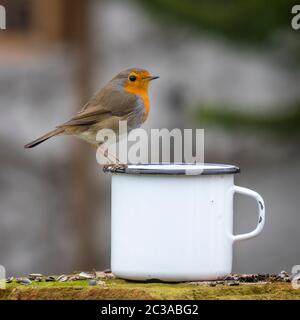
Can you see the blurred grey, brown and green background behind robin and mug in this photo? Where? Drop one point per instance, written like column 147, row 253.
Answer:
column 230, row 67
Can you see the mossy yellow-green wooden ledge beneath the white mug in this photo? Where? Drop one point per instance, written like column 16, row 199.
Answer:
column 121, row 289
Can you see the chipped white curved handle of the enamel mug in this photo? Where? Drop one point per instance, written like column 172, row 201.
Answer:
column 261, row 213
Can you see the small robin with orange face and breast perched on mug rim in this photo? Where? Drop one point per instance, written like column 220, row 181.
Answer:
column 124, row 98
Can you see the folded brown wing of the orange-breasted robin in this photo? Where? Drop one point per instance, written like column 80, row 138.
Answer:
column 105, row 104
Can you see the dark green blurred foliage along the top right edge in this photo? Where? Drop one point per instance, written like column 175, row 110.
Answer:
column 241, row 20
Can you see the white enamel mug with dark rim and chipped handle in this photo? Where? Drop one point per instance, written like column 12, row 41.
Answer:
column 175, row 222
